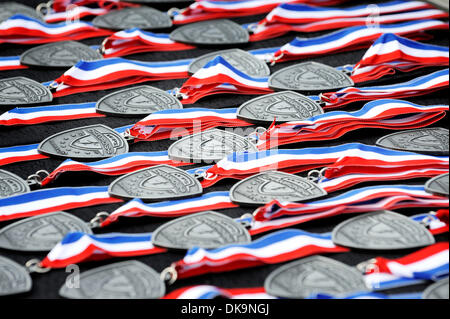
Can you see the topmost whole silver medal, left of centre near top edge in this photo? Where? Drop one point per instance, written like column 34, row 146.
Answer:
column 140, row 17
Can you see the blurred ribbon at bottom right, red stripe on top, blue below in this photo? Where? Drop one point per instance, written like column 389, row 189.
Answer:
column 428, row 264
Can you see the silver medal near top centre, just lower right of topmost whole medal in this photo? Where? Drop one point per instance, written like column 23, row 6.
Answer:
column 212, row 32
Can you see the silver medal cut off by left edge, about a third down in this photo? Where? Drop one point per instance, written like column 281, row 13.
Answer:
column 20, row 90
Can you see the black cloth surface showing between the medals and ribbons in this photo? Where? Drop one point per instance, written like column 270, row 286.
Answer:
column 47, row 285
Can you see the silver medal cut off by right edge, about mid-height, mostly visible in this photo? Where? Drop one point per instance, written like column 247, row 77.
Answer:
column 432, row 140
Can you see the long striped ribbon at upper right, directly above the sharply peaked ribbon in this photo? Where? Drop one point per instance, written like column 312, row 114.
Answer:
column 353, row 38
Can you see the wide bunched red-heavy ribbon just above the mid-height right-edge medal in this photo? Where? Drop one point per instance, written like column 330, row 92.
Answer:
column 386, row 114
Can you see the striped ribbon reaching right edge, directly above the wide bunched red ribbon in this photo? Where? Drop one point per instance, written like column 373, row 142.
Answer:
column 419, row 86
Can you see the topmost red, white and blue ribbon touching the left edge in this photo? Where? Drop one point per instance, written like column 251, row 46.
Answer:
column 20, row 29
